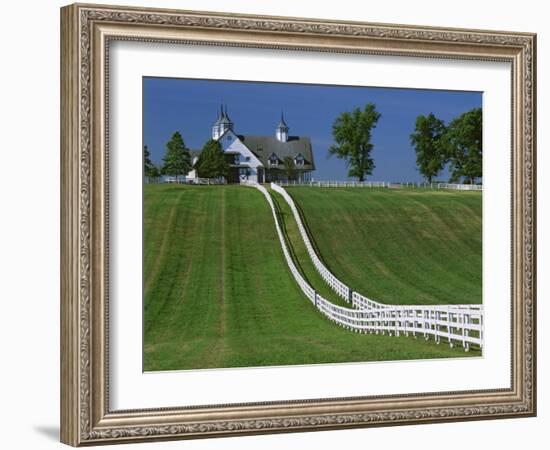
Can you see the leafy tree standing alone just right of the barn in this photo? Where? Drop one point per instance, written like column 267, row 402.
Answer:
column 352, row 134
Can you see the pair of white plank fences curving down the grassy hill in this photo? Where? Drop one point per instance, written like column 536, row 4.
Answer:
column 462, row 324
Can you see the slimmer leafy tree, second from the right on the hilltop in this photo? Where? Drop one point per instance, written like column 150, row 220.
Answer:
column 426, row 139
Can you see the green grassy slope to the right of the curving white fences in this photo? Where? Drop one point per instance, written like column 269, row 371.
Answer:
column 402, row 246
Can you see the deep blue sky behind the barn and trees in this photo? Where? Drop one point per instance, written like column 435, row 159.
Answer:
column 191, row 106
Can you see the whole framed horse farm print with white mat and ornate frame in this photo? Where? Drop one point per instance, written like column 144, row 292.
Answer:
column 279, row 224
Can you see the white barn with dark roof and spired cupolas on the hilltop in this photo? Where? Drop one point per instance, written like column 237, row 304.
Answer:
column 260, row 158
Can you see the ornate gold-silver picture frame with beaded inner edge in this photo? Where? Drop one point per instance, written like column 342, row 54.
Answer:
column 87, row 33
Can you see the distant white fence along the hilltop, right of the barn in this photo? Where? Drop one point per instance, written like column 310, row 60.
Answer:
column 381, row 184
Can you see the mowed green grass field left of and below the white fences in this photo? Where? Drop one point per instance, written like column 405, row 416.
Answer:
column 218, row 293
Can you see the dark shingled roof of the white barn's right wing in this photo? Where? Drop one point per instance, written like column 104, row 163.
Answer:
column 264, row 146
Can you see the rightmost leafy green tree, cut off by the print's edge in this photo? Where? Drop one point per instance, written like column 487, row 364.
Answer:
column 463, row 146
